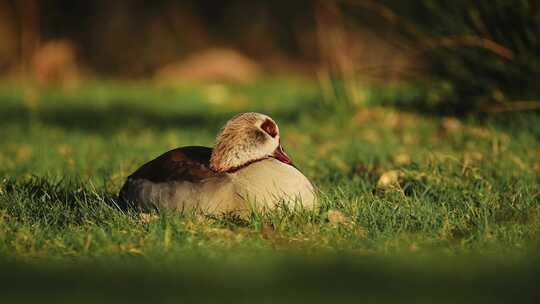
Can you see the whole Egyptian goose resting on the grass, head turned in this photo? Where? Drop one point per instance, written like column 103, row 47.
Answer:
column 247, row 169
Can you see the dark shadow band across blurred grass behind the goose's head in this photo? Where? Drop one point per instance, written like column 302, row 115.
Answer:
column 120, row 115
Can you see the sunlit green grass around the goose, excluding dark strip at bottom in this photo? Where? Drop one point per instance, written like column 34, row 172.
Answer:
column 391, row 183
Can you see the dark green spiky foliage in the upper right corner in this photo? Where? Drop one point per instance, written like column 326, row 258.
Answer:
column 472, row 56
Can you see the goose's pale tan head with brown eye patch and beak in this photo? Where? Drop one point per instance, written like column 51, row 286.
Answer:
column 245, row 139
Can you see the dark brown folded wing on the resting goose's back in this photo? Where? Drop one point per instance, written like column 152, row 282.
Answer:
column 182, row 164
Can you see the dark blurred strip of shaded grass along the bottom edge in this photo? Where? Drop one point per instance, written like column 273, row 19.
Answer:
column 274, row 279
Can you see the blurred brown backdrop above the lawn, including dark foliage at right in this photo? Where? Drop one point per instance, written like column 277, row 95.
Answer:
column 464, row 56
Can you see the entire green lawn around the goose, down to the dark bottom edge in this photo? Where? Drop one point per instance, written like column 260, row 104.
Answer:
column 443, row 201
